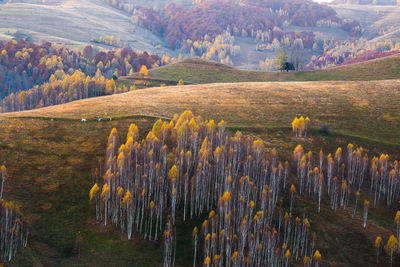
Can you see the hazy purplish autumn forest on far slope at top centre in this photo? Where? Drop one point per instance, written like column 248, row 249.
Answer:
column 208, row 28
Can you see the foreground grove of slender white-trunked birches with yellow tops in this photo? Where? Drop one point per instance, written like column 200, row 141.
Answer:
column 189, row 167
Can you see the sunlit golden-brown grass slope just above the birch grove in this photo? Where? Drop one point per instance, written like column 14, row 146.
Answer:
column 369, row 108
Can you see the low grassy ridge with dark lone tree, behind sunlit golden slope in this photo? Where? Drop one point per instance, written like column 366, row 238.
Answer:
column 203, row 71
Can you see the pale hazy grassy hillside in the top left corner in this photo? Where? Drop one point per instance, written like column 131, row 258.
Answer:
column 42, row 20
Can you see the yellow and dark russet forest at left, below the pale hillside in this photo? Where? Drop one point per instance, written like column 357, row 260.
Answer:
column 37, row 75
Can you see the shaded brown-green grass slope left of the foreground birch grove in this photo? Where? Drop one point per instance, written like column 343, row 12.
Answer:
column 49, row 164
